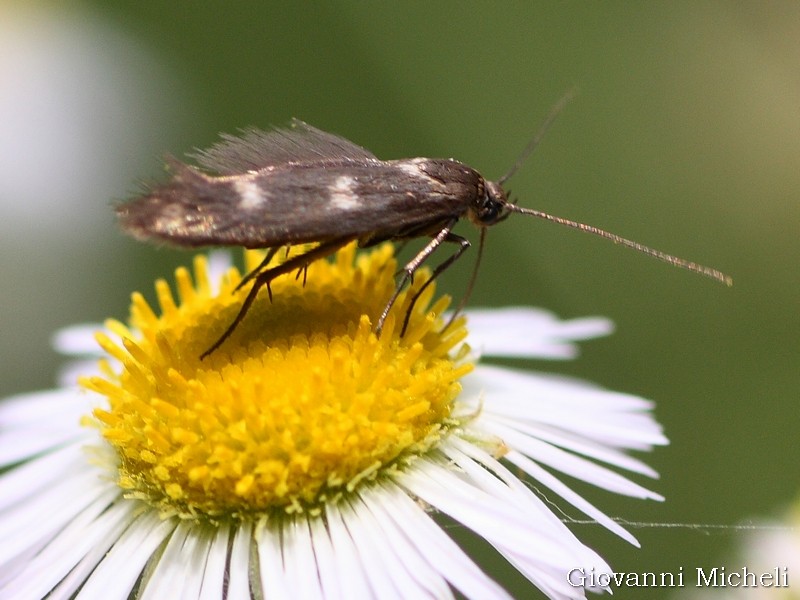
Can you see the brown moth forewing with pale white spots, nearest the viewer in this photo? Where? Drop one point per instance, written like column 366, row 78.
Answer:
column 288, row 206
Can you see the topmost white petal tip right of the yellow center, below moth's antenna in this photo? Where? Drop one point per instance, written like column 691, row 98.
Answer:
column 530, row 332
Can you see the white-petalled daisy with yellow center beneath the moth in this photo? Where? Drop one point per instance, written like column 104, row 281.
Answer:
column 307, row 457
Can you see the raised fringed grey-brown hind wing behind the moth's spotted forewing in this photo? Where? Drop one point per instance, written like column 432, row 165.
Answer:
column 256, row 149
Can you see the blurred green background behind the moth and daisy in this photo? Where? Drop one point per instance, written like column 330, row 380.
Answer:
column 685, row 137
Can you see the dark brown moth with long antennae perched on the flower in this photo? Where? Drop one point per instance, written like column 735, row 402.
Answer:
column 301, row 185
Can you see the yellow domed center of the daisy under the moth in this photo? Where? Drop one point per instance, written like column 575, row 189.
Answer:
column 302, row 402
